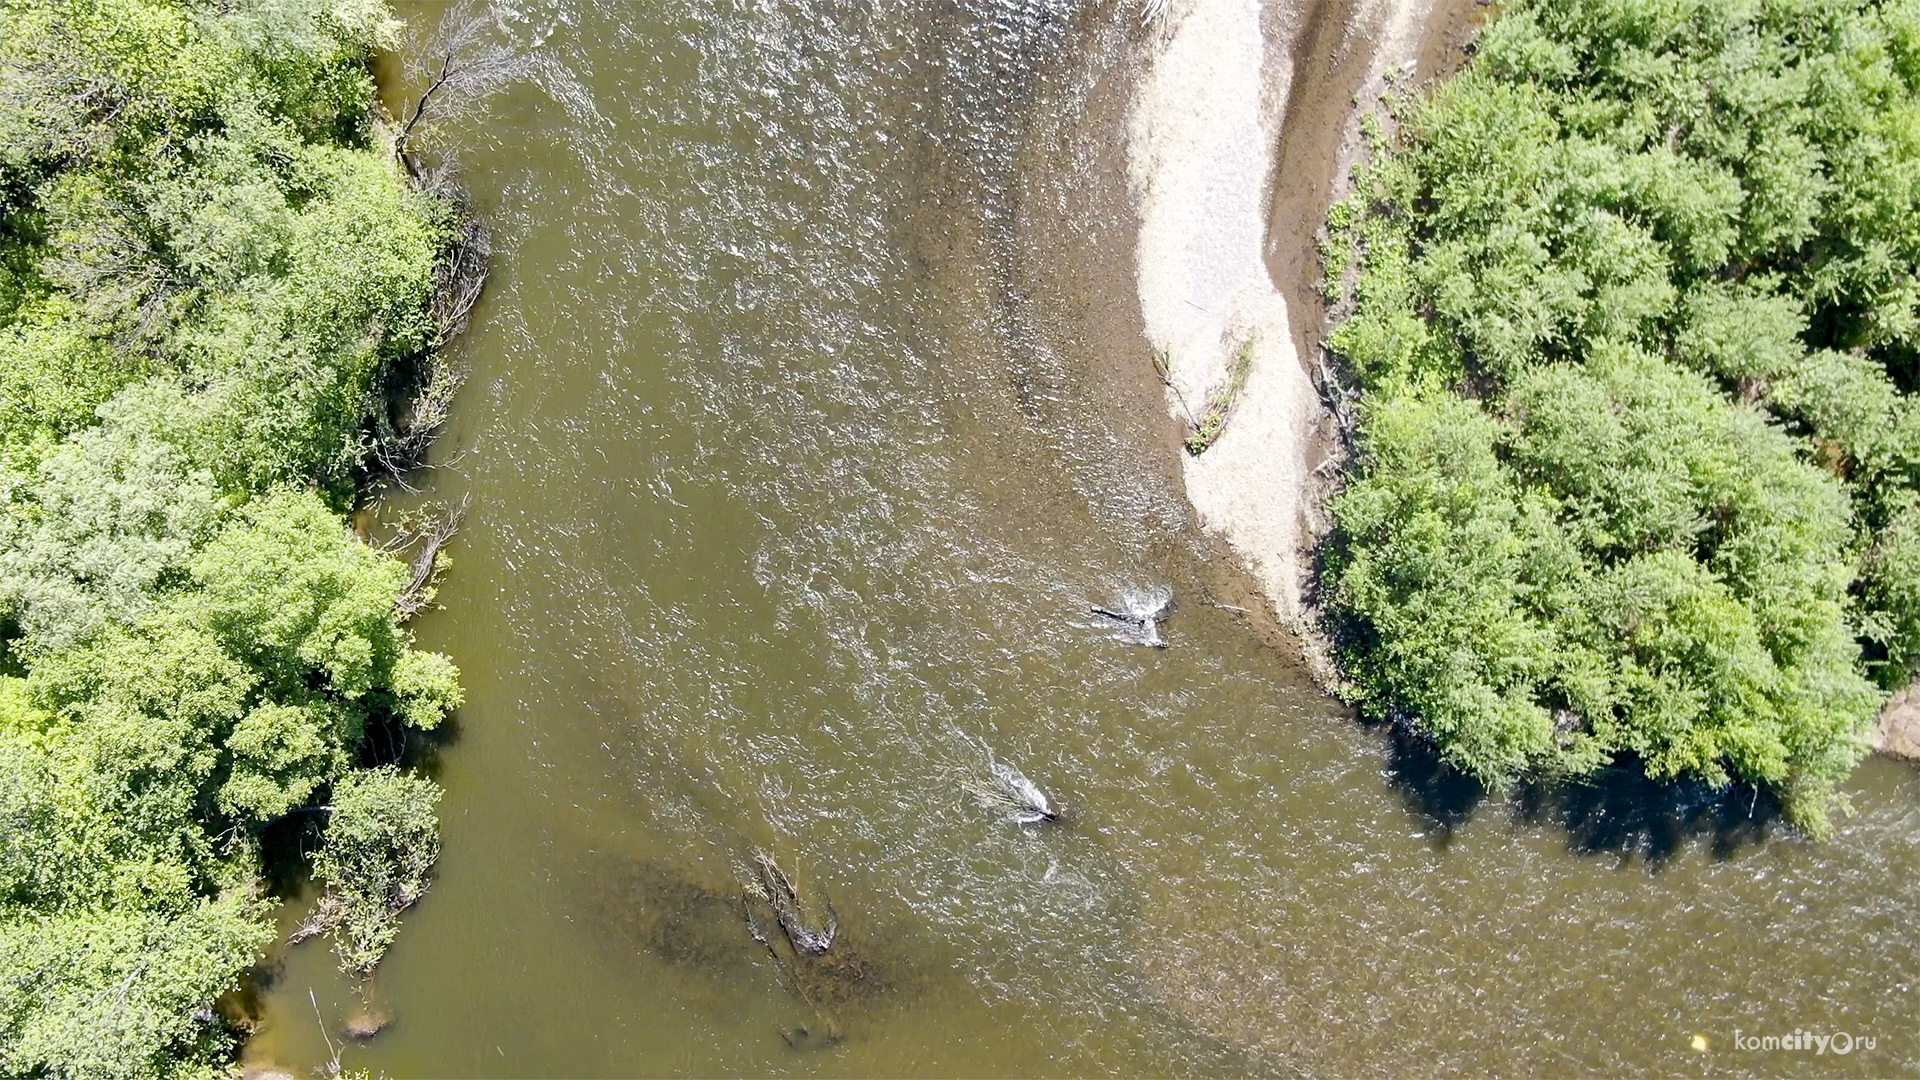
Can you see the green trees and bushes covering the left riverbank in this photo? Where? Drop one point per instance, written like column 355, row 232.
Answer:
column 212, row 268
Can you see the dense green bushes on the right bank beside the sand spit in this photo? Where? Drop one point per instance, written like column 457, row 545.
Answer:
column 1637, row 328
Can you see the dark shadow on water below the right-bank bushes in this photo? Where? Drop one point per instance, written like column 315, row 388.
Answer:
column 1618, row 812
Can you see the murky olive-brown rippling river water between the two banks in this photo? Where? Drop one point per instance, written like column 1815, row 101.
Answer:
column 809, row 414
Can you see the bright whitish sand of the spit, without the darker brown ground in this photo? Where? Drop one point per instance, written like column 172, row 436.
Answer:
column 1203, row 137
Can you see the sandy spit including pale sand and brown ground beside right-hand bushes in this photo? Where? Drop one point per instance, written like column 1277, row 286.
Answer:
column 1239, row 134
